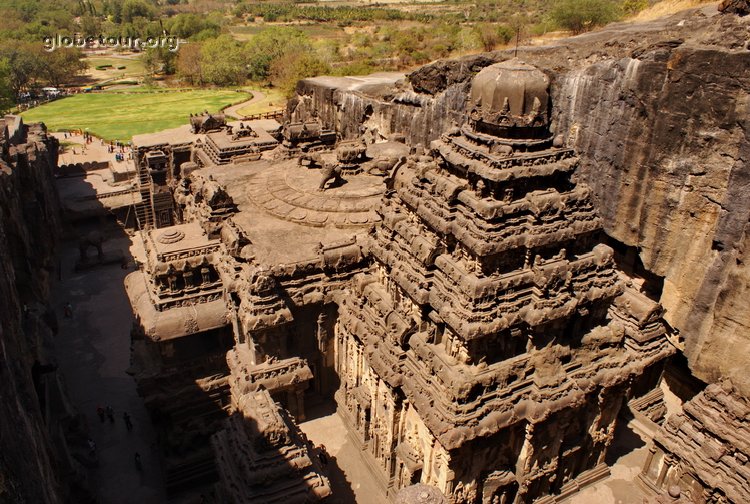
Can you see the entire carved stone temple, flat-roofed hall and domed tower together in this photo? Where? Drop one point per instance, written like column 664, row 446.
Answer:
column 457, row 301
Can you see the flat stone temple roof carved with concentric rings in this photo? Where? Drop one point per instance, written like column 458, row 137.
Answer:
column 285, row 216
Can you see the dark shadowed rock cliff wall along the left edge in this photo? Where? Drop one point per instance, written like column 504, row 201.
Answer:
column 29, row 223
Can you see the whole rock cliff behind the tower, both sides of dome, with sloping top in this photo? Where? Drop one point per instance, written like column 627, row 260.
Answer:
column 658, row 113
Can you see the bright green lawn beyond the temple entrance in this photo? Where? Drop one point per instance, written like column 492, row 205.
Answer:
column 119, row 116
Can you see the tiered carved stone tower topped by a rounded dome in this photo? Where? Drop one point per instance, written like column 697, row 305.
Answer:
column 491, row 346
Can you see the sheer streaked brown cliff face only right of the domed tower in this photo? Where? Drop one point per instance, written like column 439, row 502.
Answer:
column 665, row 143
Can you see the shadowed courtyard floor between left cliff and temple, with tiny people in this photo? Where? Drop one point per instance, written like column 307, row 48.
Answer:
column 93, row 352
